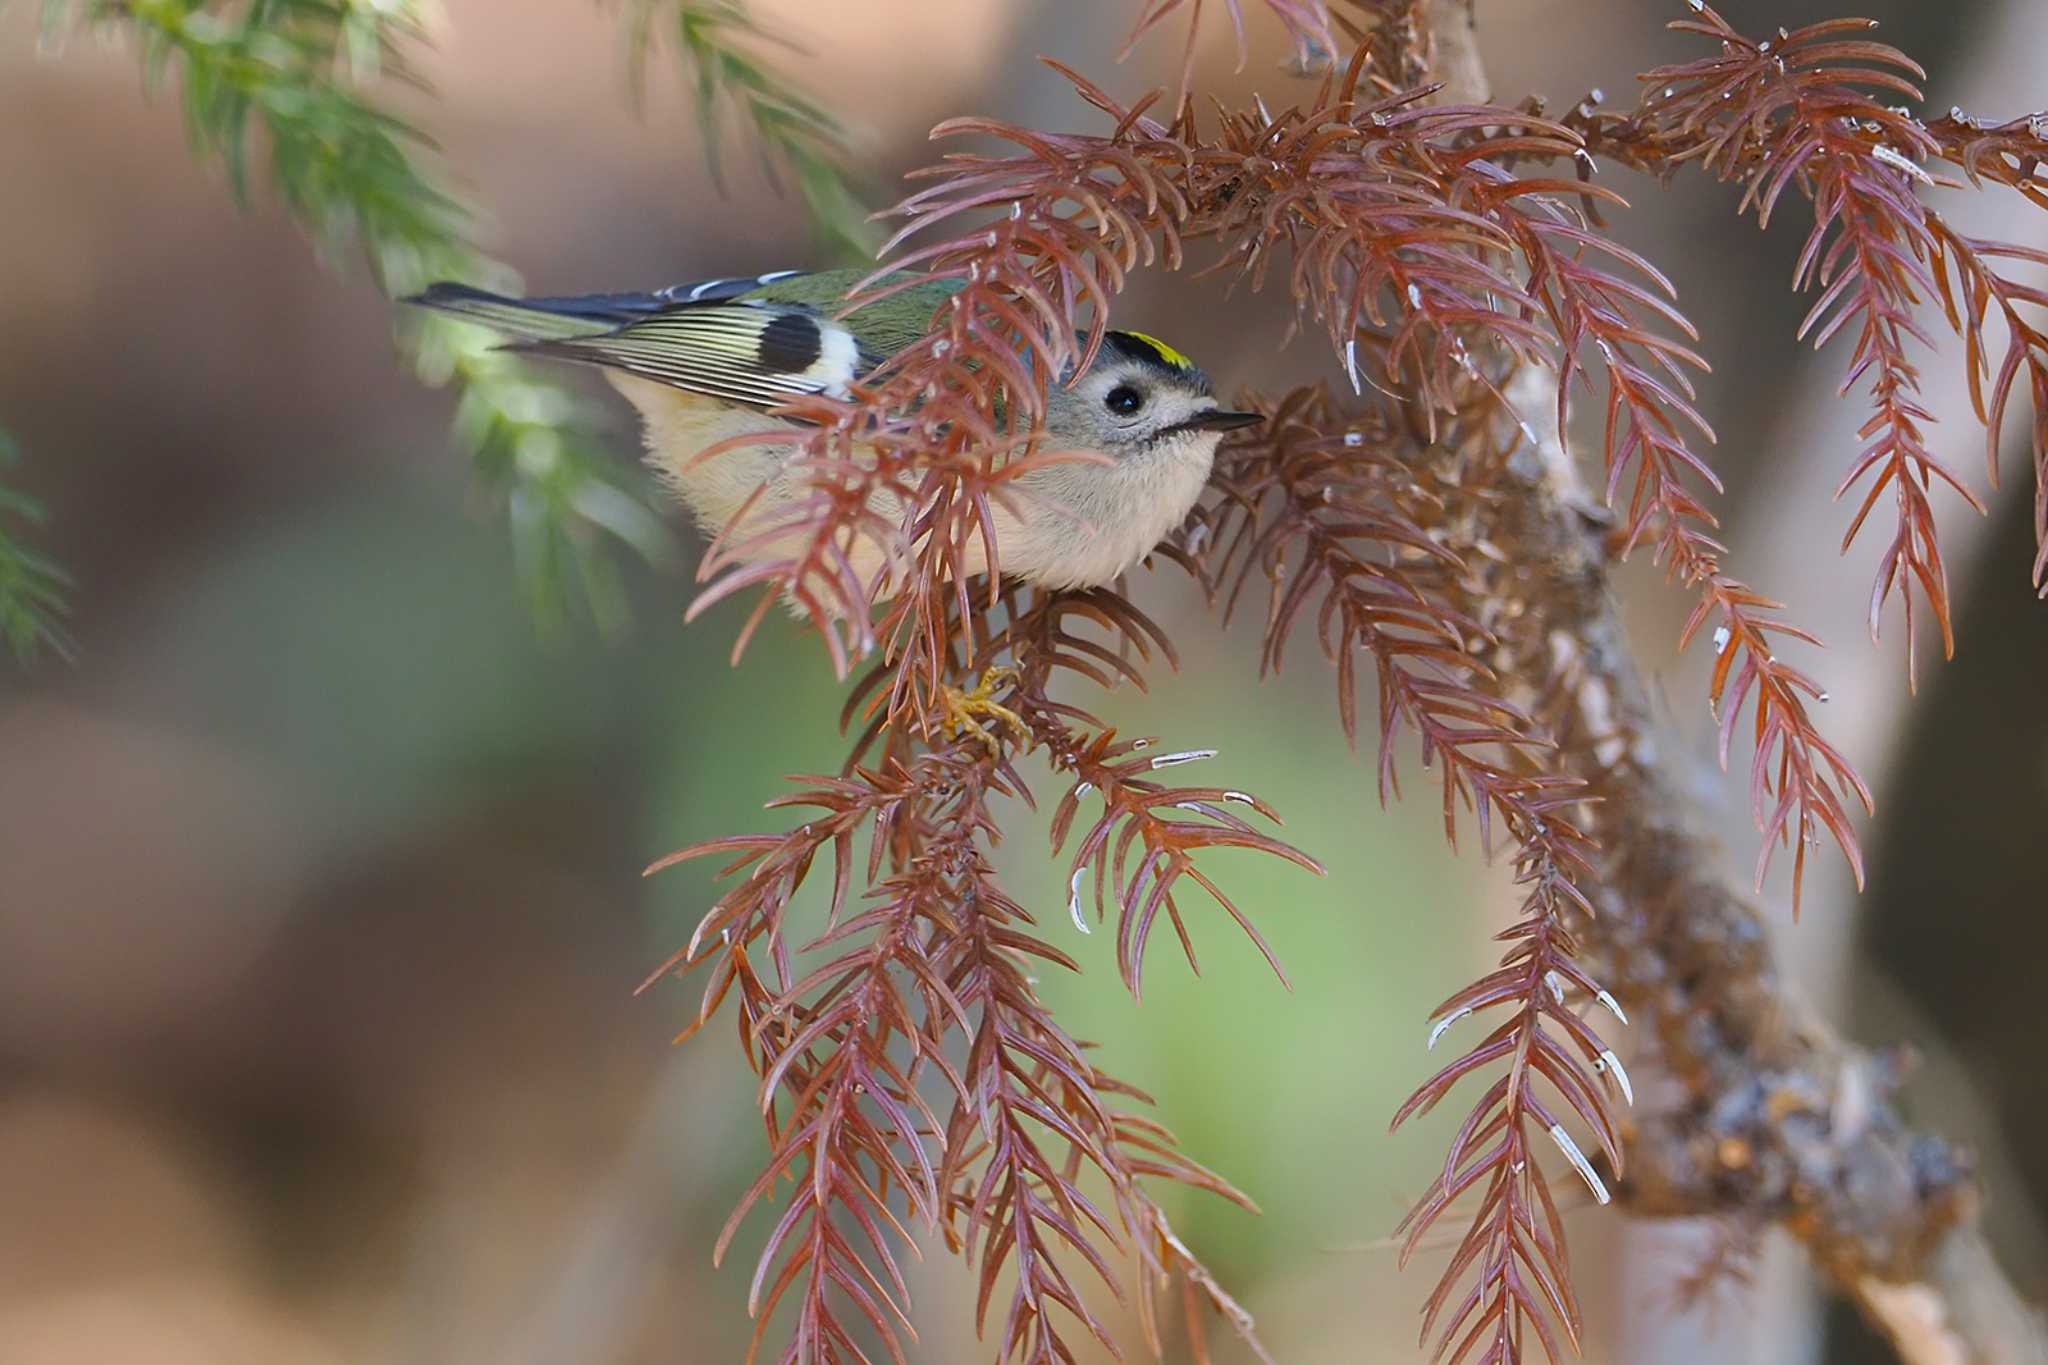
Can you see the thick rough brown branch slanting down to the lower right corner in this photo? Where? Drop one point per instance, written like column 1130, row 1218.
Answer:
column 1777, row 1120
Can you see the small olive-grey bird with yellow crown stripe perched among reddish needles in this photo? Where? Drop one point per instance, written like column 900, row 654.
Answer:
column 703, row 363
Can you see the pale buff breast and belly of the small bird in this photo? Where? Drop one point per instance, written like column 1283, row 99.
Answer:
column 1074, row 525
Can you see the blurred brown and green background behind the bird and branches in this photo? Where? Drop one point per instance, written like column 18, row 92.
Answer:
column 321, row 897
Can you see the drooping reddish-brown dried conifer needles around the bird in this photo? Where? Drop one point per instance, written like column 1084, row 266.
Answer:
column 908, row 1069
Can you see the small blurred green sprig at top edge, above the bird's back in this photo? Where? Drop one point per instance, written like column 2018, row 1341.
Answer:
column 716, row 44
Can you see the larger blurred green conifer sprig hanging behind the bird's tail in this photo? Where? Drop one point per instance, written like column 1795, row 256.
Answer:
column 288, row 81
